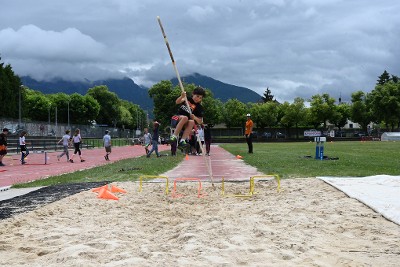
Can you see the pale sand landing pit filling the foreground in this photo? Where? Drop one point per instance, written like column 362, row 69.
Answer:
column 309, row 223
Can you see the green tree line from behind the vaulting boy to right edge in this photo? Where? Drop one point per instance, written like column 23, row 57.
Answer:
column 381, row 106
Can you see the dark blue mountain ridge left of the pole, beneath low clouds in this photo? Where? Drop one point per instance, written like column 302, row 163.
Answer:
column 125, row 88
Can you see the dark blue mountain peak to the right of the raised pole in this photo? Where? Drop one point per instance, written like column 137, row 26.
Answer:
column 222, row 91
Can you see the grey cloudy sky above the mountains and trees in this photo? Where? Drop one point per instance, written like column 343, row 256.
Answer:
column 297, row 48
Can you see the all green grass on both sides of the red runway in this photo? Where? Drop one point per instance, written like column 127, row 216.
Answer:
column 289, row 160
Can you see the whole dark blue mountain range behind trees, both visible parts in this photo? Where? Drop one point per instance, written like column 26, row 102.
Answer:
column 127, row 89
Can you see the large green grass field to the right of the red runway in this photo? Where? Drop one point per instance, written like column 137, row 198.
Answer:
column 355, row 158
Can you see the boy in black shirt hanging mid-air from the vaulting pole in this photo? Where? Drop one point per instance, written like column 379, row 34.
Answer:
column 187, row 118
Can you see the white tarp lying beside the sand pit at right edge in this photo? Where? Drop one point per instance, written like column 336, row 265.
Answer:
column 380, row 192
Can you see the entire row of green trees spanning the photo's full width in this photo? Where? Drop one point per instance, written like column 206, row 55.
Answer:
column 381, row 106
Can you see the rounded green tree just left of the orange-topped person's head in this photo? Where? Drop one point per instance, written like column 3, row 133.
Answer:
column 234, row 113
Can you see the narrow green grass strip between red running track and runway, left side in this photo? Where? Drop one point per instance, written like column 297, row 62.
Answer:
column 123, row 170
